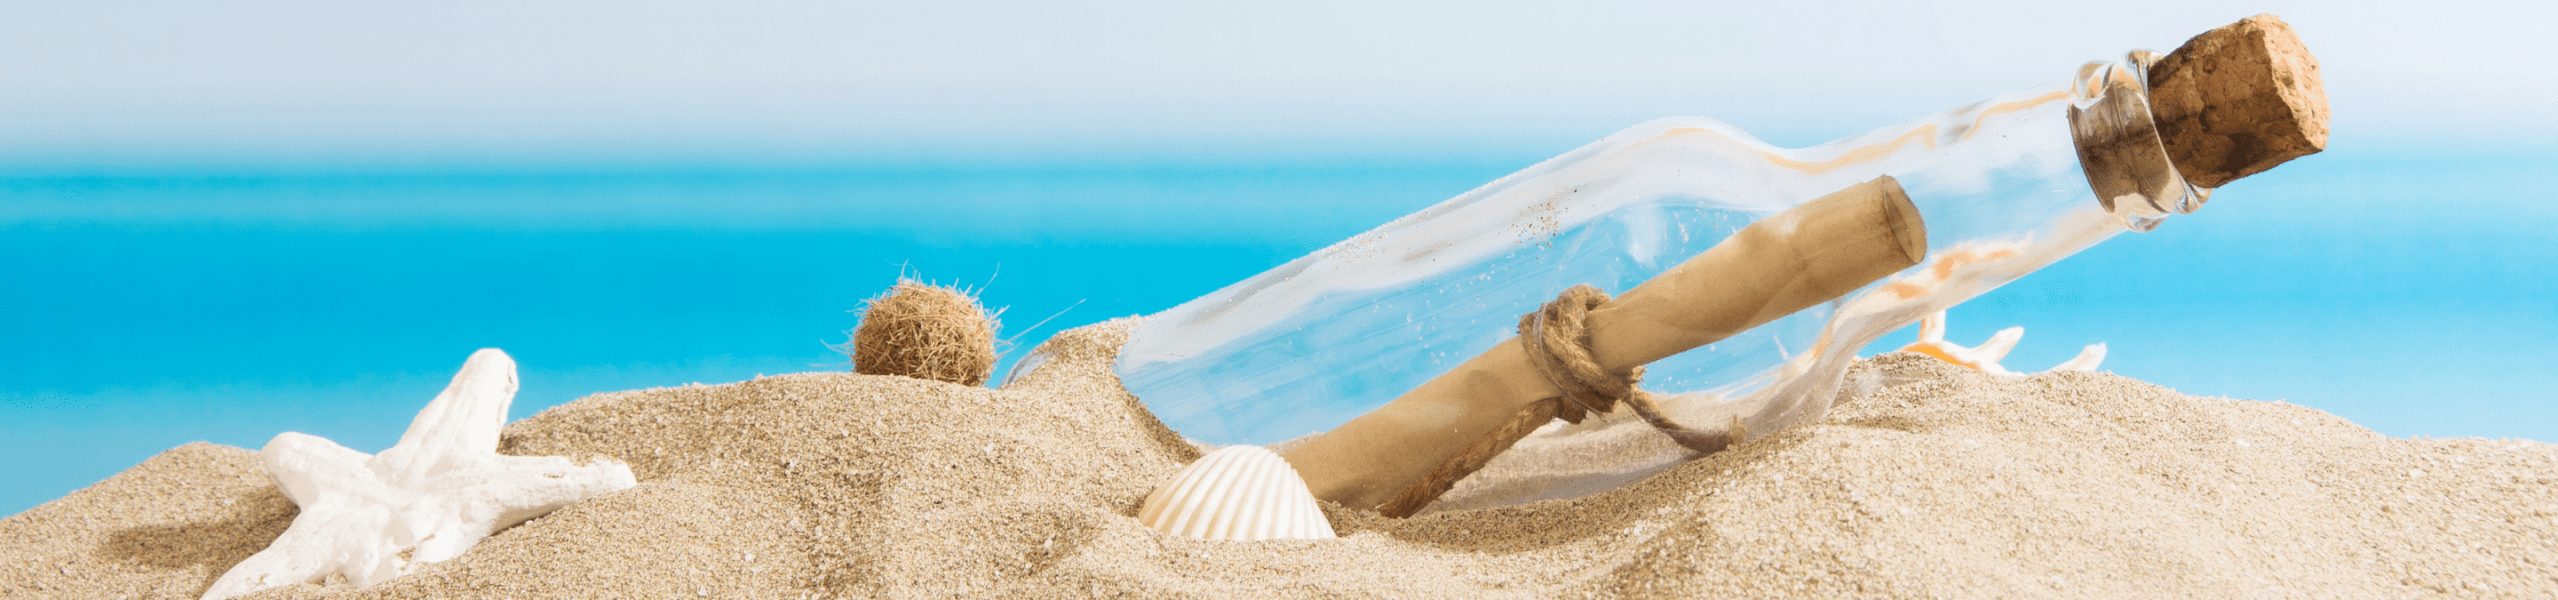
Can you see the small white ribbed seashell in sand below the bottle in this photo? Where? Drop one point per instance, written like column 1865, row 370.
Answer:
column 1237, row 494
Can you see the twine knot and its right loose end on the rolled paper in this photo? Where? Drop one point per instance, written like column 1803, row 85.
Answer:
column 1559, row 343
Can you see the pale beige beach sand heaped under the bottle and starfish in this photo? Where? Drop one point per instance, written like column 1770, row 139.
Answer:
column 1927, row 481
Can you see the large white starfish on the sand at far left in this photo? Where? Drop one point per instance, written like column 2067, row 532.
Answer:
column 428, row 499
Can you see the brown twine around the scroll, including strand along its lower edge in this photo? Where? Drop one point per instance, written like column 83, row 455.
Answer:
column 1559, row 343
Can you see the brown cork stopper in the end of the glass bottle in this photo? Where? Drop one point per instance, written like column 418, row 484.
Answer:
column 2240, row 101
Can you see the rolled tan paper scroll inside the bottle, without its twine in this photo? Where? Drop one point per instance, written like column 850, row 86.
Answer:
column 1764, row 272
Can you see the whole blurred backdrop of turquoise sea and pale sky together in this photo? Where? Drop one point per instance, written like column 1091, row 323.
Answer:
column 249, row 218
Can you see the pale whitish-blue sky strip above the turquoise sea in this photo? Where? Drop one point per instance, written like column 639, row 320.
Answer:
column 295, row 86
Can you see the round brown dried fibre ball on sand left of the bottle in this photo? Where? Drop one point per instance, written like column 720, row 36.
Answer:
column 925, row 333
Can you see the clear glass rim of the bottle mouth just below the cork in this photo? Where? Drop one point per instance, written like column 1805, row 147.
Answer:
column 2119, row 144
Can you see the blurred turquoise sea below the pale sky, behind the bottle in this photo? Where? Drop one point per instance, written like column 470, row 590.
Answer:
column 2413, row 292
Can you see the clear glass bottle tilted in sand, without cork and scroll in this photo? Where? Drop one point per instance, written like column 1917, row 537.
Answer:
column 2004, row 188
